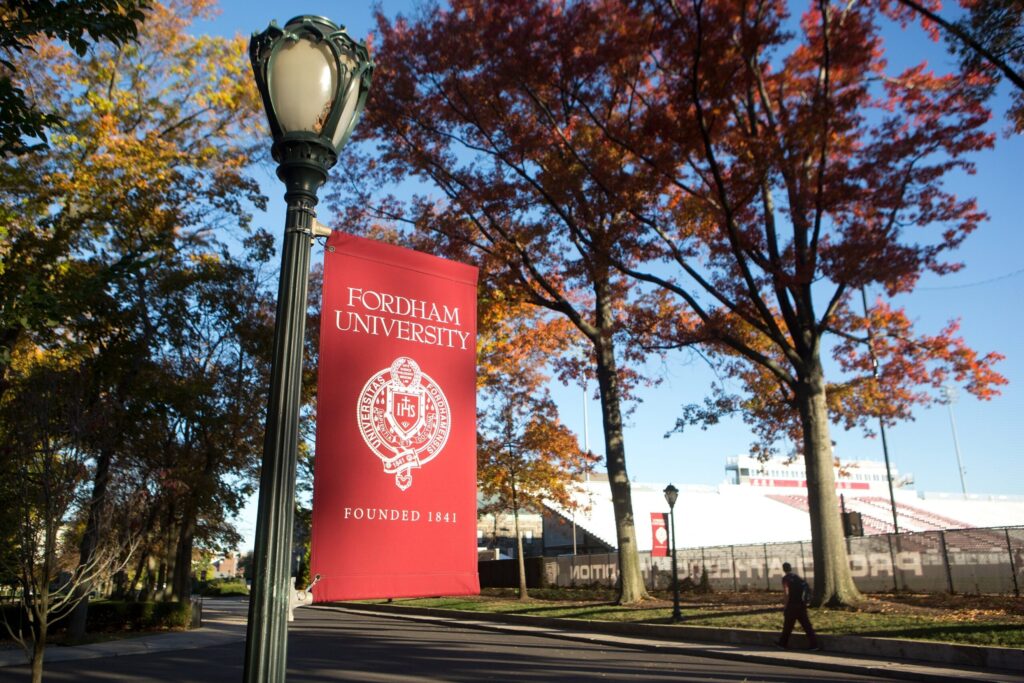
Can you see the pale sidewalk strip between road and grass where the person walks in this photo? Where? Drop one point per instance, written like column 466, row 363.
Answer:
column 887, row 660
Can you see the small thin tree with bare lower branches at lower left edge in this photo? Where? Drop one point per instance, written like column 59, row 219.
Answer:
column 44, row 477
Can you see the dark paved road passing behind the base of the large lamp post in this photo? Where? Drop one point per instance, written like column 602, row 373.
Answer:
column 327, row 645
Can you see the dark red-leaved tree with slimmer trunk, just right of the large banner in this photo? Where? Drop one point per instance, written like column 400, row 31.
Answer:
column 462, row 107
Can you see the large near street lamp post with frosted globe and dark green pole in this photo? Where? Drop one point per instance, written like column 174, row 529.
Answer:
column 314, row 80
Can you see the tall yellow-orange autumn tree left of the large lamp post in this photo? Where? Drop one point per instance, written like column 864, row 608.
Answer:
column 114, row 249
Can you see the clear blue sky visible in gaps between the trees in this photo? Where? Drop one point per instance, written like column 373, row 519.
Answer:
column 987, row 296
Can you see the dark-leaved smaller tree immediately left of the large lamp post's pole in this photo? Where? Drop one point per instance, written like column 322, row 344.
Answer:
column 214, row 374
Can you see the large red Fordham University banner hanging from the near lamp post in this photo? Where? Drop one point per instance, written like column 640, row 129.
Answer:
column 395, row 487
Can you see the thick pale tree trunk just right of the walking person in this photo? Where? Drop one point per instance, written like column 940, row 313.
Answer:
column 833, row 582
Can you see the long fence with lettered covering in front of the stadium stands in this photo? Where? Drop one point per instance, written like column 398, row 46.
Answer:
column 969, row 561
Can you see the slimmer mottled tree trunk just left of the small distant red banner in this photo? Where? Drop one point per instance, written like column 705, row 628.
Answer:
column 631, row 580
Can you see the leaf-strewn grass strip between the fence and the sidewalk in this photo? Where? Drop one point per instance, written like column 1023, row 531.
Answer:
column 969, row 620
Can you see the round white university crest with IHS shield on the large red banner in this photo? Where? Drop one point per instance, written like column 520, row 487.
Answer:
column 404, row 418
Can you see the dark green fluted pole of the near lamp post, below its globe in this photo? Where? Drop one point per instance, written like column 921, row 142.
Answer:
column 304, row 168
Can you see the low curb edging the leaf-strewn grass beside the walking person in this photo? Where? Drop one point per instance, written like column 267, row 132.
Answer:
column 972, row 658
